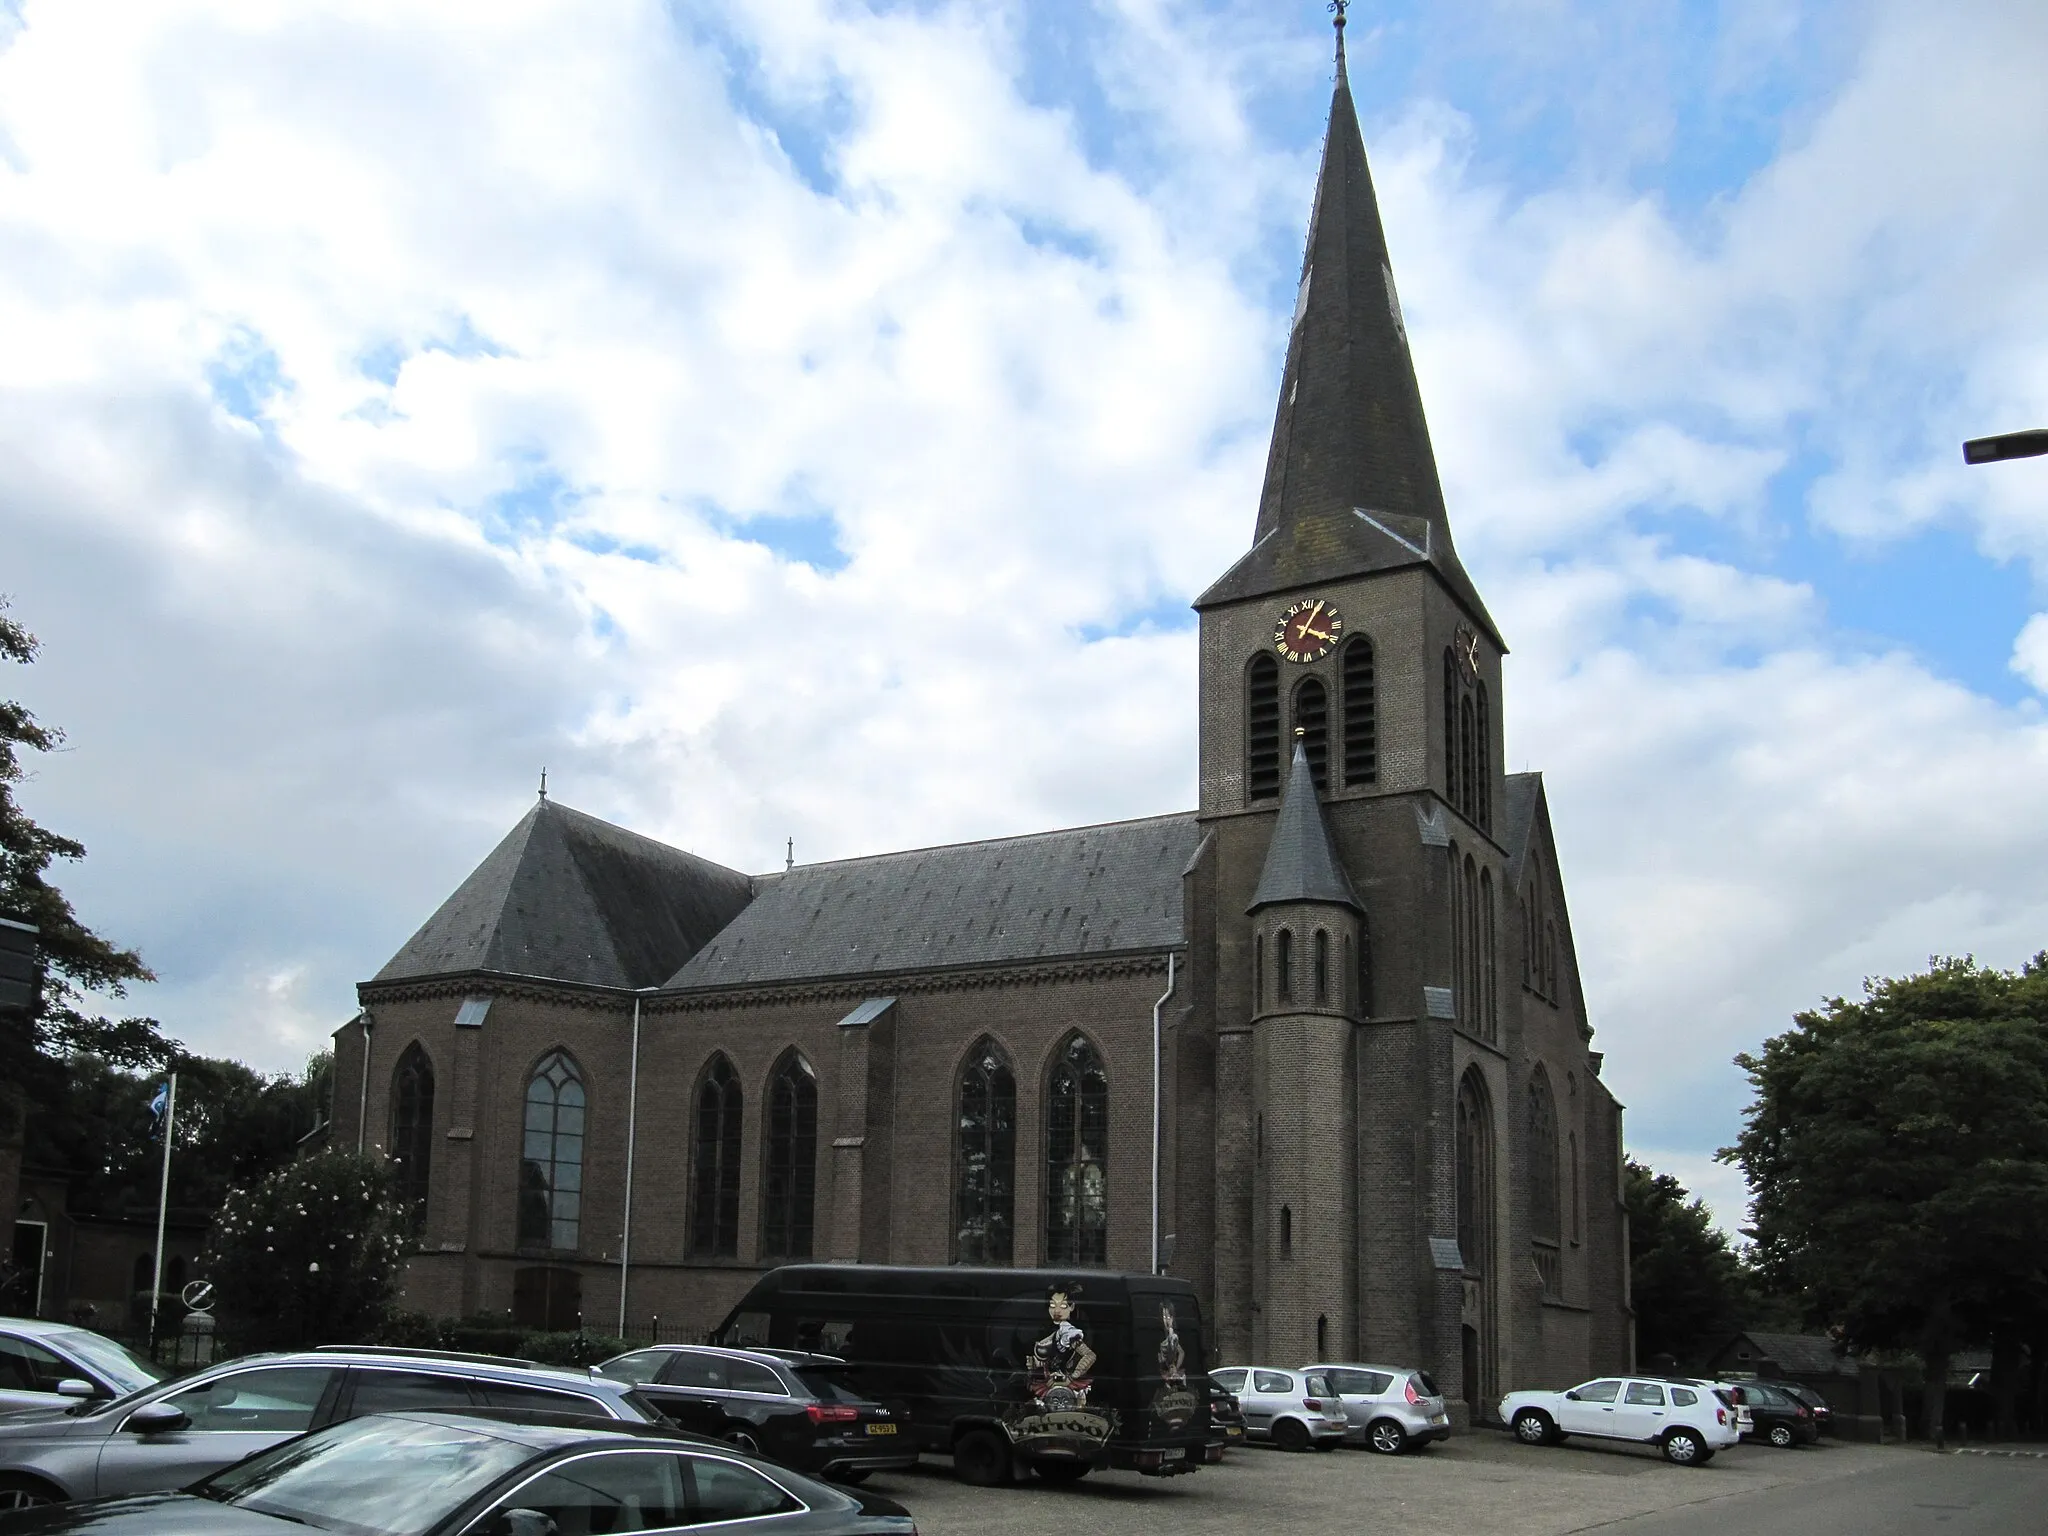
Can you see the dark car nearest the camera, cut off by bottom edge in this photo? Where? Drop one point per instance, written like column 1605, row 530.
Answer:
column 456, row 1476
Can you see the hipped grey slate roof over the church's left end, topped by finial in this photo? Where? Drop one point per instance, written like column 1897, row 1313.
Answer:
column 572, row 898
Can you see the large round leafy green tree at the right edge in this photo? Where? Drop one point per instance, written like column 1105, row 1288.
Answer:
column 1900, row 1158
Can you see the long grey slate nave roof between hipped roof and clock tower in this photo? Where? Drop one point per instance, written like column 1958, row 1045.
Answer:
column 1099, row 890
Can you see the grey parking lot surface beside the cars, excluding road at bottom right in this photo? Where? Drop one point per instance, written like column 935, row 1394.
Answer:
column 1471, row 1484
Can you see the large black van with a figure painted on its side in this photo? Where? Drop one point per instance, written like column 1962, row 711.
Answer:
column 1007, row 1369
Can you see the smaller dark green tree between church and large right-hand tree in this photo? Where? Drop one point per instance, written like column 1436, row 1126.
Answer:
column 1691, row 1289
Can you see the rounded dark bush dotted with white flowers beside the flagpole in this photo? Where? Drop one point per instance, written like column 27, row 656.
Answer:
column 308, row 1256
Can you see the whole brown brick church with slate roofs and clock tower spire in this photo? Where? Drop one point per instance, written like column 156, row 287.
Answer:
column 622, row 1080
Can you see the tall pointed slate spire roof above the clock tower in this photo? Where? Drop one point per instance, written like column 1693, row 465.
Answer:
column 1351, row 478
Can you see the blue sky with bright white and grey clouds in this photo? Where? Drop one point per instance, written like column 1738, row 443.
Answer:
column 796, row 421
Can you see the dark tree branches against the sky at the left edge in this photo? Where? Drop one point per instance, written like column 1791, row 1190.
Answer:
column 77, row 959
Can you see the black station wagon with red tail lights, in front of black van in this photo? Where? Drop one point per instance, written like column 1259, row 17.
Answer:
column 790, row 1406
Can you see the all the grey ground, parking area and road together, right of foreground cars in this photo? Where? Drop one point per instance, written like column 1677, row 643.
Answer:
column 1484, row 1484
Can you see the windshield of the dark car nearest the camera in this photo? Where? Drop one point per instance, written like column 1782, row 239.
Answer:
column 370, row 1478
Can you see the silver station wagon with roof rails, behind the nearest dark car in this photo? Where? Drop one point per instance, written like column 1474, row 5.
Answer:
column 171, row 1435
